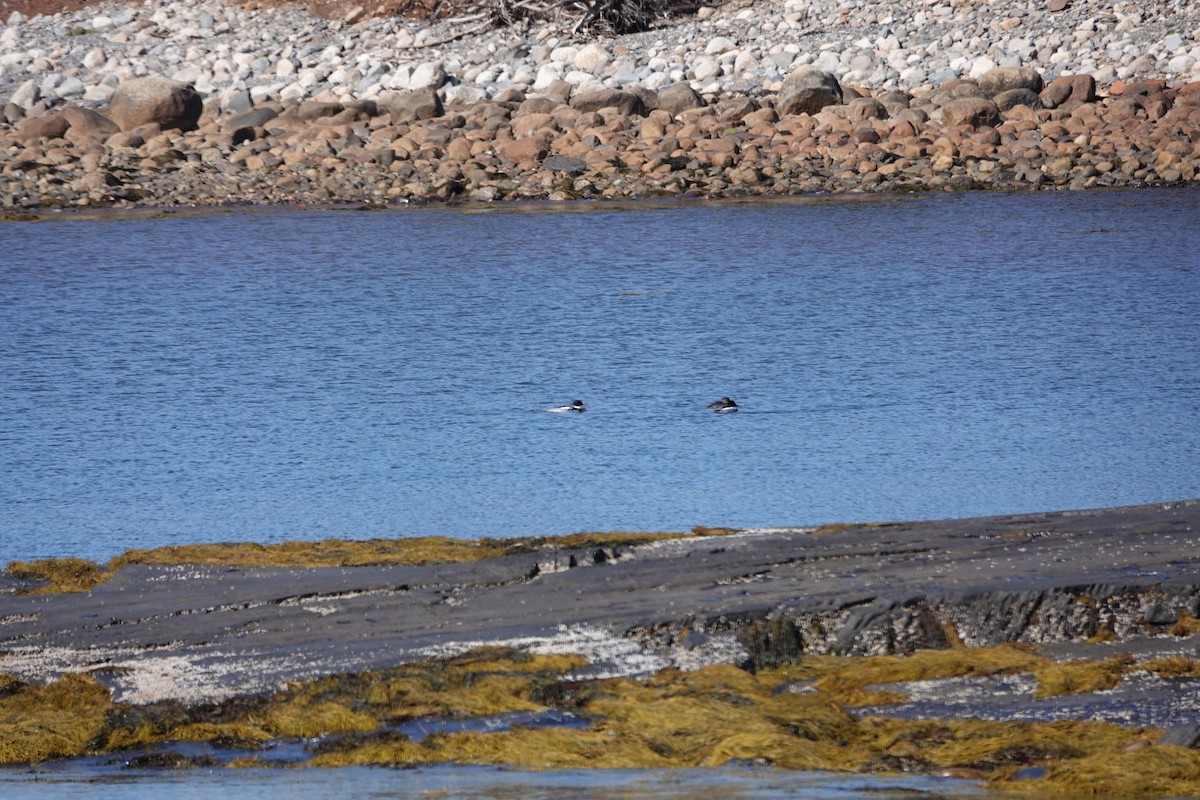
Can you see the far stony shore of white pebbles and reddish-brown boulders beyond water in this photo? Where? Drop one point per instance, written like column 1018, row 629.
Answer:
column 207, row 104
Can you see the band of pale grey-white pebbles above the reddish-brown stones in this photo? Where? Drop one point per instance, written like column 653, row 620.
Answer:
column 899, row 47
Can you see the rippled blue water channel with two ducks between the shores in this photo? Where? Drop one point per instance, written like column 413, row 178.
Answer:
column 303, row 375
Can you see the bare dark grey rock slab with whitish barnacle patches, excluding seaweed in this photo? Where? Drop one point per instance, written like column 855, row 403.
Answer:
column 754, row 599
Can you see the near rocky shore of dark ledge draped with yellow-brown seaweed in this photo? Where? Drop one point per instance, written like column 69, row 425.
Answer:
column 1041, row 652
